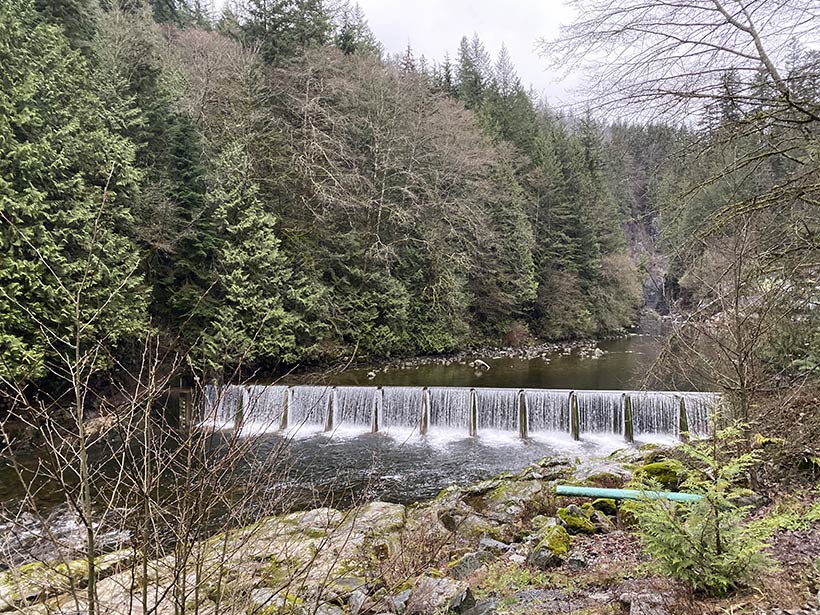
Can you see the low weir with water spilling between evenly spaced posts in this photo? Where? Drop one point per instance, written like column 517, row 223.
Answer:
column 460, row 411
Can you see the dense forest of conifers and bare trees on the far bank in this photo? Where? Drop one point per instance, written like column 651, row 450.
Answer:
column 269, row 188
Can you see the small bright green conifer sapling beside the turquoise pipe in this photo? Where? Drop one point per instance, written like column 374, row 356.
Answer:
column 706, row 544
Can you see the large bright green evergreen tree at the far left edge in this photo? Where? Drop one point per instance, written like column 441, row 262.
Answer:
column 68, row 269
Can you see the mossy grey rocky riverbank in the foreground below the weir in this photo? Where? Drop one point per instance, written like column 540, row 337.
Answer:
column 504, row 545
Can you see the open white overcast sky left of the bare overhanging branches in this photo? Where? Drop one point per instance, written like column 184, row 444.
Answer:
column 435, row 26
